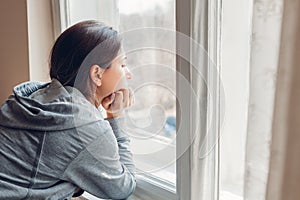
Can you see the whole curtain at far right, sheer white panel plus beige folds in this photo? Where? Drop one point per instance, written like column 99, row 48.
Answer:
column 272, row 171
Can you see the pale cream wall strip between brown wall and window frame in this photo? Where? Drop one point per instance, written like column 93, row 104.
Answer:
column 40, row 37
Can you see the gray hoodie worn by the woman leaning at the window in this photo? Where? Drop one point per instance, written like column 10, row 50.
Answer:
column 53, row 141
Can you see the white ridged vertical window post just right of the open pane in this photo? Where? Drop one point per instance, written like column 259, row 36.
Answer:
column 205, row 113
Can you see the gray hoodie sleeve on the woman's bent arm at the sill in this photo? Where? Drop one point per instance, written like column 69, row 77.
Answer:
column 105, row 167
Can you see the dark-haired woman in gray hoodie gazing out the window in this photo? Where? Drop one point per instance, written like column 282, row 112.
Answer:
column 54, row 143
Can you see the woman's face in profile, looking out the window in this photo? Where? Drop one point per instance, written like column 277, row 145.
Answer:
column 114, row 77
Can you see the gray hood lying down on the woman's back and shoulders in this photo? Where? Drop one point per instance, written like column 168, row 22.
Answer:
column 47, row 107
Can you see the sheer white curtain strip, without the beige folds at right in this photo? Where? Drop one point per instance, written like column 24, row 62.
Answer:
column 265, row 44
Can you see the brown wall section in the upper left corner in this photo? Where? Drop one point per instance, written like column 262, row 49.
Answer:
column 14, row 60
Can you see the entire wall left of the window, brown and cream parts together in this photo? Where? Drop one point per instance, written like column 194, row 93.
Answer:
column 26, row 40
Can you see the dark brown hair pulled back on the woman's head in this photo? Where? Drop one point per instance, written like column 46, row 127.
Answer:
column 81, row 46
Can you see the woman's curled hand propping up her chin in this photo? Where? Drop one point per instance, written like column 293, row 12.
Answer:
column 115, row 103
